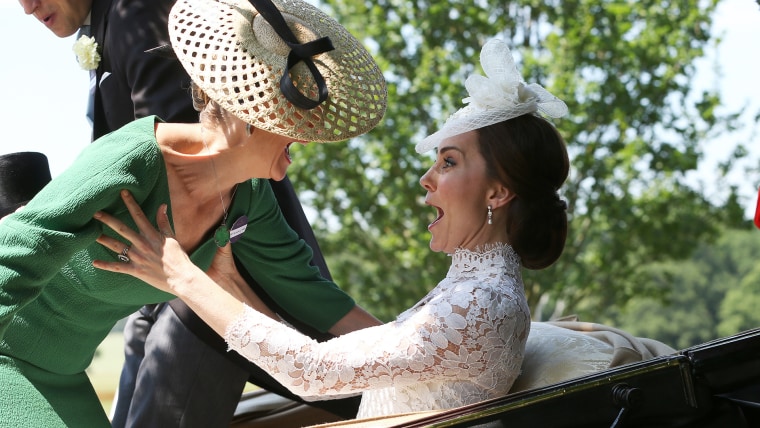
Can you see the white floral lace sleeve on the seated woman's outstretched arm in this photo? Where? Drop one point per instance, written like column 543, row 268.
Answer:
column 471, row 332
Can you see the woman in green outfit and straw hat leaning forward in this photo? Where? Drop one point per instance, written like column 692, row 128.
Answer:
column 55, row 307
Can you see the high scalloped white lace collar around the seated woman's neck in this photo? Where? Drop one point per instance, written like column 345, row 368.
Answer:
column 496, row 256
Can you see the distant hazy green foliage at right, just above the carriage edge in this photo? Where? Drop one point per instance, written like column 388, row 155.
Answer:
column 713, row 294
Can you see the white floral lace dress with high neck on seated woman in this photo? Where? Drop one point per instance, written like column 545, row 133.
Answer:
column 461, row 344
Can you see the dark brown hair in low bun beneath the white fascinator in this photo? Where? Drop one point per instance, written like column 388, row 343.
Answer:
column 529, row 157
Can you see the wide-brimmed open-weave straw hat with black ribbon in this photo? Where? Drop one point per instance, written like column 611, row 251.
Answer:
column 240, row 57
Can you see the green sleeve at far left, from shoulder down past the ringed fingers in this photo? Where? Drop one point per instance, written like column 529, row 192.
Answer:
column 57, row 224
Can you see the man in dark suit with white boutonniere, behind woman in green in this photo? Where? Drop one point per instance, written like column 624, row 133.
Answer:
column 128, row 83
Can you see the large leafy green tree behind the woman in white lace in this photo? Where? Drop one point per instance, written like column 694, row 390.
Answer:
column 625, row 70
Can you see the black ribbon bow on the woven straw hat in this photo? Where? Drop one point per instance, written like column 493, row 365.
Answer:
column 299, row 52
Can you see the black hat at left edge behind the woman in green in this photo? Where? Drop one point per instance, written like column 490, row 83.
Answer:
column 22, row 175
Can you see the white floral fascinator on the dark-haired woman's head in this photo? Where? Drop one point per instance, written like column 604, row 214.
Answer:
column 502, row 95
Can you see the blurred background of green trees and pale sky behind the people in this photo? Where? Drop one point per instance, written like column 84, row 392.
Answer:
column 662, row 133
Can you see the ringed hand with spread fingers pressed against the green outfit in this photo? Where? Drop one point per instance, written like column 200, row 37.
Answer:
column 154, row 257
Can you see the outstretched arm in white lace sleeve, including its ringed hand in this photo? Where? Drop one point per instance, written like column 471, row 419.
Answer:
column 452, row 337
